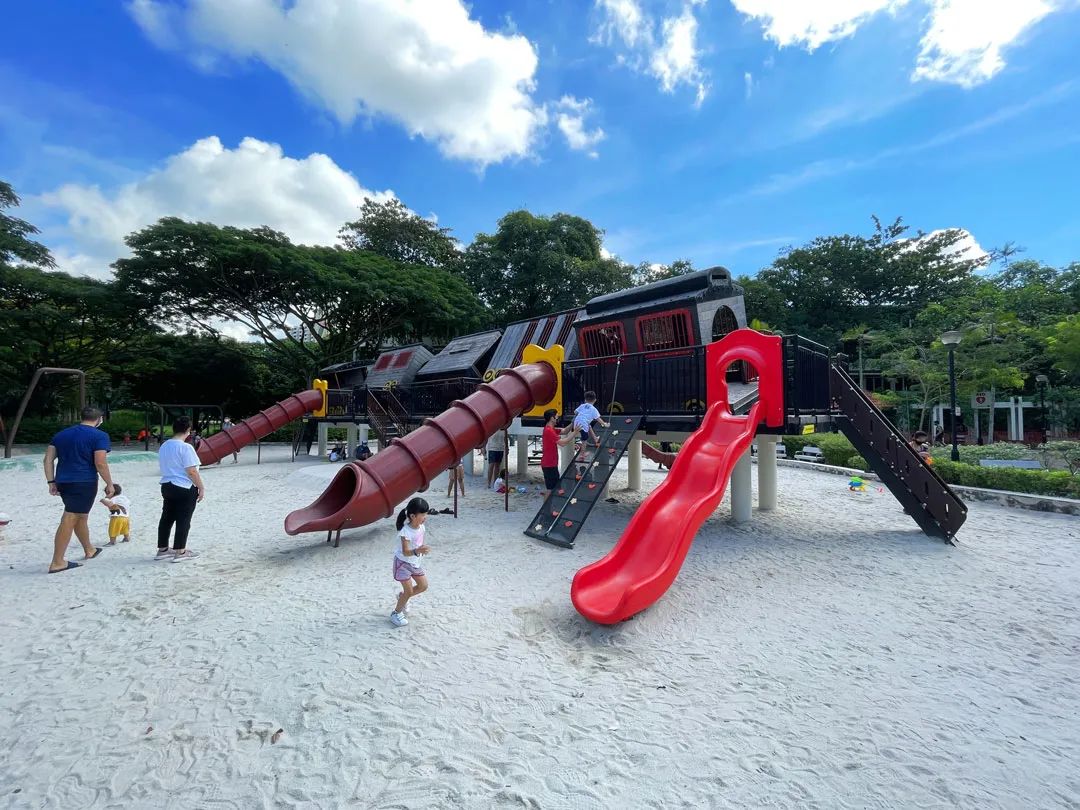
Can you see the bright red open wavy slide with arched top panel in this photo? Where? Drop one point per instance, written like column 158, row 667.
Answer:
column 647, row 558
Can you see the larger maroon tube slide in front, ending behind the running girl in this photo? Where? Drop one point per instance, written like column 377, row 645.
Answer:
column 366, row 492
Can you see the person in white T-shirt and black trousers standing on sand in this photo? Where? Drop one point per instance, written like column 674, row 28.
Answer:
column 182, row 489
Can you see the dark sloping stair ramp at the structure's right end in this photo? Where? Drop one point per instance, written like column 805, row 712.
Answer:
column 921, row 491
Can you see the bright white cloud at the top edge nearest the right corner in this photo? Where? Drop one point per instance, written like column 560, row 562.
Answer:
column 966, row 40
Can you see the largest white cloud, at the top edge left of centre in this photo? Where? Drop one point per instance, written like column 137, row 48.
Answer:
column 422, row 63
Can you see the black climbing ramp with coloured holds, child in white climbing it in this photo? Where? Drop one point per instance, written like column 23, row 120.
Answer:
column 566, row 509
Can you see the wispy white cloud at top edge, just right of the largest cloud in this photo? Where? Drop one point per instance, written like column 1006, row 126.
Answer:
column 665, row 48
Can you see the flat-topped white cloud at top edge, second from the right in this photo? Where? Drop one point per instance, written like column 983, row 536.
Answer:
column 812, row 24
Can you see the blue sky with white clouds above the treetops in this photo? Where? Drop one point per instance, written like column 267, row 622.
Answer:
column 718, row 131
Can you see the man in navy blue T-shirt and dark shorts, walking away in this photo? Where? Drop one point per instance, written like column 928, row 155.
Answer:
column 75, row 458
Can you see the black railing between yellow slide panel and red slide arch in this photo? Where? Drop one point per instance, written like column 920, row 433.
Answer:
column 656, row 384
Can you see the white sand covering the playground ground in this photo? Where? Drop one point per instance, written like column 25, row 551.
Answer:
column 828, row 655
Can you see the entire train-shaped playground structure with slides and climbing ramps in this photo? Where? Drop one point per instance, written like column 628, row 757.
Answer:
column 670, row 361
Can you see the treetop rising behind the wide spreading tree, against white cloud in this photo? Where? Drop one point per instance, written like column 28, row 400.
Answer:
column 395, row 233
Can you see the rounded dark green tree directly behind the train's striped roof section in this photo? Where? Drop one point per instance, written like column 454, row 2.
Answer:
column 535, row 265
